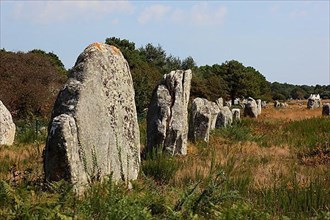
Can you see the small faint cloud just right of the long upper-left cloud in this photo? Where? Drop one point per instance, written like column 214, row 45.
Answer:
column 154, row 12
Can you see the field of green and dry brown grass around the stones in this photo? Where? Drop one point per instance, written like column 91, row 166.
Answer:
column 273, row 167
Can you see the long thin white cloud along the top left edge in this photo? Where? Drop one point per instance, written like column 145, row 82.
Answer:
column 44, row 12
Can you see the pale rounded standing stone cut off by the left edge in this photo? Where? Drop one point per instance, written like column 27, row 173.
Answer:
column 7, row 126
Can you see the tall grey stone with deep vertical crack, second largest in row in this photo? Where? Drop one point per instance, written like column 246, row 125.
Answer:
column 167, row 117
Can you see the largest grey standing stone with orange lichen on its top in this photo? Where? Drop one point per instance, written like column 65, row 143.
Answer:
column 94, row 130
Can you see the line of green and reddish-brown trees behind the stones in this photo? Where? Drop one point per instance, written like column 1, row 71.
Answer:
column 30, row 81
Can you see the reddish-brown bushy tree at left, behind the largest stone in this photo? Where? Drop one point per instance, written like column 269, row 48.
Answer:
column 30, row 83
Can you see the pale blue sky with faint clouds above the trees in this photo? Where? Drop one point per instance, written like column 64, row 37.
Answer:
column 286, row 41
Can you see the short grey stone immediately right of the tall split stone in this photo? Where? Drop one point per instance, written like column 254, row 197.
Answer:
column 200, row 123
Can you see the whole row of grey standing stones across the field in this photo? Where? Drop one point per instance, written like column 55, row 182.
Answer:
column 94, row 130
